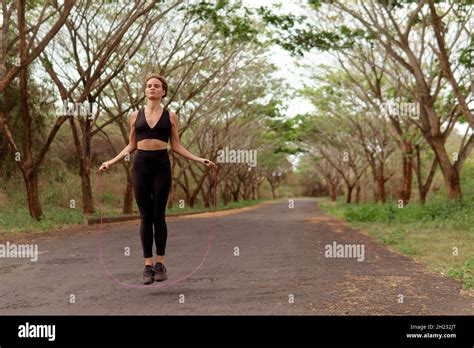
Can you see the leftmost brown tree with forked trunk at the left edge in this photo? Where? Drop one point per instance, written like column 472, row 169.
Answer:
column 29, row 50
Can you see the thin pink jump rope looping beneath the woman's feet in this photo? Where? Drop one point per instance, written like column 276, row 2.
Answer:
column 167, row 282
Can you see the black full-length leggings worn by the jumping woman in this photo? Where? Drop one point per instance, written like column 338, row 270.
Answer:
column 151, row 176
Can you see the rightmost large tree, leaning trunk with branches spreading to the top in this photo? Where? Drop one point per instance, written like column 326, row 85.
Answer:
column 399, row 37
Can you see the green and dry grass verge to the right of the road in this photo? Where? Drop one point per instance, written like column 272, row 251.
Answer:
column 428, row 233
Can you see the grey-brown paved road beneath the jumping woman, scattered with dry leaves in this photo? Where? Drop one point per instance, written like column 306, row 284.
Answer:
column 281, row 269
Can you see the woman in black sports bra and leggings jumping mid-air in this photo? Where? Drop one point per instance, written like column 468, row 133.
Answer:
column 150, row 130
